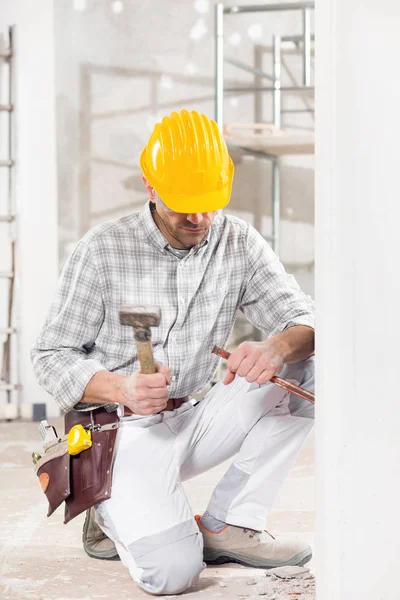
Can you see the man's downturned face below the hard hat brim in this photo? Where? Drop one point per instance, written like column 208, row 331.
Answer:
column 182, row 230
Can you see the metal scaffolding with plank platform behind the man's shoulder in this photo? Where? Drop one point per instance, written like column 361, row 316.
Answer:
column 254, row 145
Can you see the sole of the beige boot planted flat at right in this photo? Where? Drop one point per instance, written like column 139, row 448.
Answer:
column 221, row 557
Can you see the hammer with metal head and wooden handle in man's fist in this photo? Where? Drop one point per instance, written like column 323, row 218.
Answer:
column 141, row 318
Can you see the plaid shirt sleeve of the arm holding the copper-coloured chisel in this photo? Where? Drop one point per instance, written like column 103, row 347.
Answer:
column 272, row 300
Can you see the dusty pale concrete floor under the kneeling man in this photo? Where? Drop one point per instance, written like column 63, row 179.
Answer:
column 43, row 559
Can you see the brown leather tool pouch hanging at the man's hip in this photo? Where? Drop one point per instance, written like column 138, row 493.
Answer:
column 83, row 480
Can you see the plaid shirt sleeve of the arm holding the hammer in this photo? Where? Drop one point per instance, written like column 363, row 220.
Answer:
column 61, row 356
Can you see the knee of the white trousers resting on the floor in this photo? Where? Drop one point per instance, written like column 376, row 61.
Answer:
column 173, row 568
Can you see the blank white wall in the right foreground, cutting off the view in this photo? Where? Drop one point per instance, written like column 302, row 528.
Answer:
column 357, row 295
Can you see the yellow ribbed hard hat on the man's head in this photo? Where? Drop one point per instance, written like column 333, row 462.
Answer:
column 187, row 162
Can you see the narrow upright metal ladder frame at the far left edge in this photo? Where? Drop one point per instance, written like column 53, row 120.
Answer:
column 8, row 226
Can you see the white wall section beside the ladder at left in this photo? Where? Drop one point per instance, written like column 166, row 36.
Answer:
column 36, row 187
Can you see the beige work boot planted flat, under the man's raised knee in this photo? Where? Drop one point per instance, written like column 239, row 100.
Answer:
column 251, row 548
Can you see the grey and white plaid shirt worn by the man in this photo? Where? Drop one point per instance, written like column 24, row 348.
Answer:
column 128, row 261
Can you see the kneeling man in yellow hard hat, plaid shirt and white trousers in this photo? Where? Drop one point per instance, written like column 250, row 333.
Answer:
column 200, row 267
